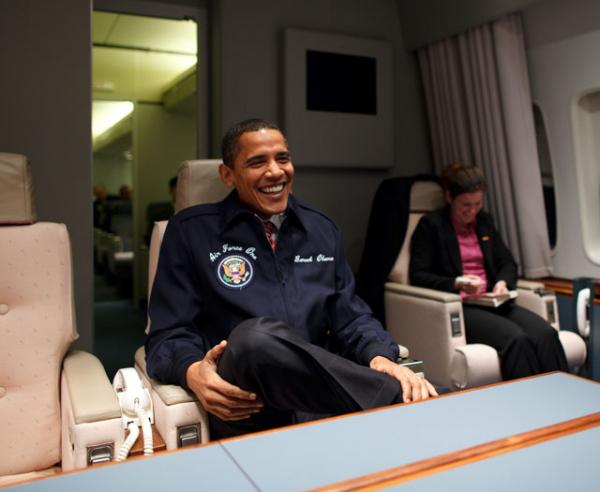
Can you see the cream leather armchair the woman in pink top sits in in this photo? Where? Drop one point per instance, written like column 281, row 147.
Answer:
column 431, row 322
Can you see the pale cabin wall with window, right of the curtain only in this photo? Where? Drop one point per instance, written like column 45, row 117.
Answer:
column 564, row 64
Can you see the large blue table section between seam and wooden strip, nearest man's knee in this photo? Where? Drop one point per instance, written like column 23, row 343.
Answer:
column 310, row 456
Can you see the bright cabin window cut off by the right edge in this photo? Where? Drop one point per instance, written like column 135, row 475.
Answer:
column 585, row 113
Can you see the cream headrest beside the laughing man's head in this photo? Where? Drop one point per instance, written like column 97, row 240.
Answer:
column 198, row 182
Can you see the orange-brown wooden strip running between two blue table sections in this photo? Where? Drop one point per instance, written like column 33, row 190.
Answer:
column 412, row 471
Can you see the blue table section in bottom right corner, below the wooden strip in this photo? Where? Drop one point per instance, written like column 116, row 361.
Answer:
column 564, row 464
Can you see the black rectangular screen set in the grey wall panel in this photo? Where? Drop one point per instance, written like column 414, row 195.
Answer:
column 341, row 83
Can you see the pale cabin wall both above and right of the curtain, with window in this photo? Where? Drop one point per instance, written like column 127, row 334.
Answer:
column 562, row 39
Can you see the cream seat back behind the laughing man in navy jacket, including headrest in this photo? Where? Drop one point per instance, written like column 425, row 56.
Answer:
column 198, row 182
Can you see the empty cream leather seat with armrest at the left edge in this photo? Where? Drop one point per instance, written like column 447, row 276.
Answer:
column 57, row 407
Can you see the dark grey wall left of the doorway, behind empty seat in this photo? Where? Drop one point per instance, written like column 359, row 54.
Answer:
column 45, row 92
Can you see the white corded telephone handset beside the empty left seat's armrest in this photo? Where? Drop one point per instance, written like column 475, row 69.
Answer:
column 136, row 406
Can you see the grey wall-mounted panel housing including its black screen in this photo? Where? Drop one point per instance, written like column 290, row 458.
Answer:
column 339, row 104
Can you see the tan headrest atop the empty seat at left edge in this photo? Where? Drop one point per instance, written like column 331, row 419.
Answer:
column 16, row 190
